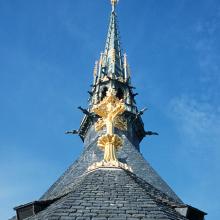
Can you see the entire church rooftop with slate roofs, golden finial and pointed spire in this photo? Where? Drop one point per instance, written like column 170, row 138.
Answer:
column 111, row 180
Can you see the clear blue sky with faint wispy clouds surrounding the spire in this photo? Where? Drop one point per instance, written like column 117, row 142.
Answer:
column 47, row 53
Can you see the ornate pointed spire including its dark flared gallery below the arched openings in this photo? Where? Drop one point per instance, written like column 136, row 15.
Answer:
column 112, row 72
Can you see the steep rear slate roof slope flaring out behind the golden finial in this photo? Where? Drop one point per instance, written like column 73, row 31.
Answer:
column 128, row 153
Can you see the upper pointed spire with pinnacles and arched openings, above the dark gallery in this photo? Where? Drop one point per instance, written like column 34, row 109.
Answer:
column 112, row 69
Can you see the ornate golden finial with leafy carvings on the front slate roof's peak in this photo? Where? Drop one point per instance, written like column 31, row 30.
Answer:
column 110, row 110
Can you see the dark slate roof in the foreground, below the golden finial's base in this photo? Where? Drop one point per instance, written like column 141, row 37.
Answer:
column 111, row 194
